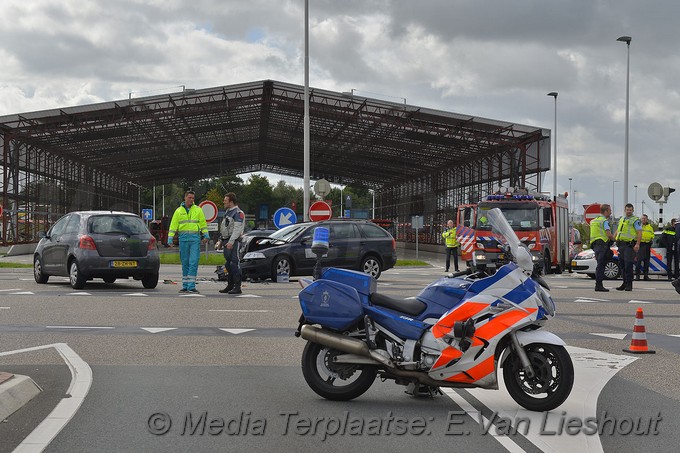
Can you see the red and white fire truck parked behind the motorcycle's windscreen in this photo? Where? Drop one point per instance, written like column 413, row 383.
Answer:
column 541, row 223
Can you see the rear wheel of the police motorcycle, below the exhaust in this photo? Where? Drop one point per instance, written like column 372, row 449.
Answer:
column 334, row 381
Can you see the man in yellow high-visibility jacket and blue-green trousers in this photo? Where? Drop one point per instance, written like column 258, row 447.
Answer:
column 189, row 223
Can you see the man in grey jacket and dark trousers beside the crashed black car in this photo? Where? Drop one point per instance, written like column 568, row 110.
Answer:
column 231, row 231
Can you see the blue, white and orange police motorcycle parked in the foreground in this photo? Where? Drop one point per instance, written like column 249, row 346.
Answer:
column 456, row 333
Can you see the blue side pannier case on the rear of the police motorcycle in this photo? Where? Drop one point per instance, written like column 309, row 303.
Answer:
column 331, row 304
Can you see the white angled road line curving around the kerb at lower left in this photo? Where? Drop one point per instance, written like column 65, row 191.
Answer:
column 81, row 381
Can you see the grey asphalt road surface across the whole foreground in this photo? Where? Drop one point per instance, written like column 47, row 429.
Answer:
column 223, row 373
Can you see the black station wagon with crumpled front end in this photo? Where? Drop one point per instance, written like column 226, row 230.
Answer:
column 354, row 244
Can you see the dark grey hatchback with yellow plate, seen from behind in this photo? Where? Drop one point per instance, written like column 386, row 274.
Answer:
column 98, row 244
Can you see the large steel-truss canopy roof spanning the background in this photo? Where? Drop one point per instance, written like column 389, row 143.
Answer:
column 258, row 126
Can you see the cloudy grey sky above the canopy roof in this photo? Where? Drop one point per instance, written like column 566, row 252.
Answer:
column 495, row 58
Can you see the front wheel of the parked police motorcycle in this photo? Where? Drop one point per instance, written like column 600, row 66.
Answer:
column 552, row 382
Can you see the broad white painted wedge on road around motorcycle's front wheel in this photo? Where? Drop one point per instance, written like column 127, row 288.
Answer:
column 592, row 370
